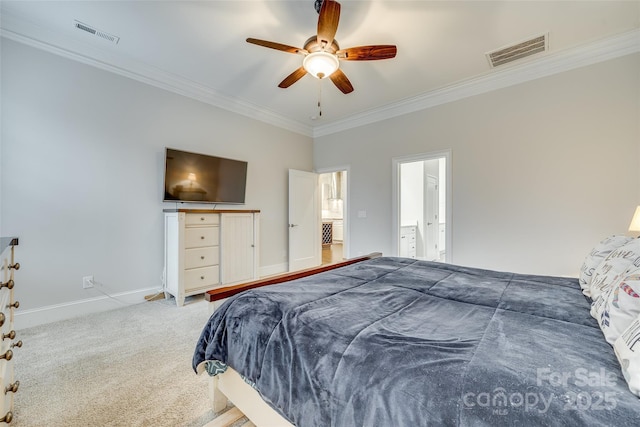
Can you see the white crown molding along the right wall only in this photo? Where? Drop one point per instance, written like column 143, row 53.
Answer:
column 602, row 50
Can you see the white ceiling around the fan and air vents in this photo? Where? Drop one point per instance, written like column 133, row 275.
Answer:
column 198, row 48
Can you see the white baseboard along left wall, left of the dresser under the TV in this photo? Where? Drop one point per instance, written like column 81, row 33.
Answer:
column 52, row 313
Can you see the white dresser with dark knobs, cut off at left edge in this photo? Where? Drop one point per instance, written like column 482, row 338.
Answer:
column 8, row 305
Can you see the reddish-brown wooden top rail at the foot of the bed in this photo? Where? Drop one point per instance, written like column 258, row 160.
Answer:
column 221, row 293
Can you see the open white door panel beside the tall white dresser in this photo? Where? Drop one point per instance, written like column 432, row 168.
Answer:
column 304, row 221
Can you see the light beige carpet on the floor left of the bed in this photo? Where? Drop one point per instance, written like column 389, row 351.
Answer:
column 125, row 367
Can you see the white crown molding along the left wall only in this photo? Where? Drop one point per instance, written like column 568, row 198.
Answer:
column 50, row 41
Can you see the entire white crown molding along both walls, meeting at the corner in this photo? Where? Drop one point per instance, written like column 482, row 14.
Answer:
column 552, row 63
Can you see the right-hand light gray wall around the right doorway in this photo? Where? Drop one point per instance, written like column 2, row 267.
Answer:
column 541, row 171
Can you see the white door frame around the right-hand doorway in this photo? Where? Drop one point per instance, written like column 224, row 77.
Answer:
column 395, row 198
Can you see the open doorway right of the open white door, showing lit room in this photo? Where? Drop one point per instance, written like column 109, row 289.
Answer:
column 333, row 194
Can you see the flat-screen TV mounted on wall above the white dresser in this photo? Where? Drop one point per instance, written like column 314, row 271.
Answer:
column 199, row 178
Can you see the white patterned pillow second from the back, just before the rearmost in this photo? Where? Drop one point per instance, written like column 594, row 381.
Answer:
column 614, row 266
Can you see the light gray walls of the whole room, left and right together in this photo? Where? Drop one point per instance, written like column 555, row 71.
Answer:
column 541, row 171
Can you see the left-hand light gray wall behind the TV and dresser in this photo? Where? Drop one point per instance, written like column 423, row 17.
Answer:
column 82, row 167
